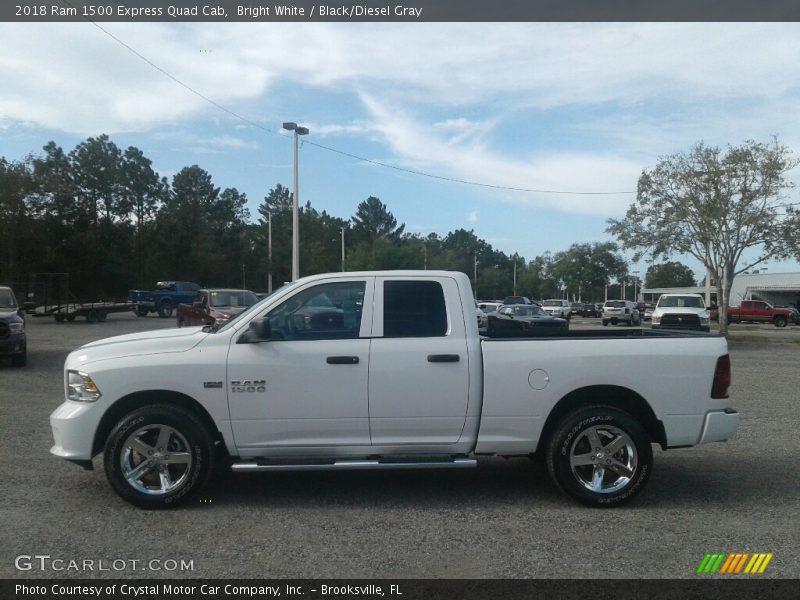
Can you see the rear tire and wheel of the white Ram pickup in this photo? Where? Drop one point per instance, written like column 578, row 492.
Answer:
column 571, row 441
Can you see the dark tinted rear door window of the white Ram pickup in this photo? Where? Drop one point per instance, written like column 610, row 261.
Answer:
column 413, row 309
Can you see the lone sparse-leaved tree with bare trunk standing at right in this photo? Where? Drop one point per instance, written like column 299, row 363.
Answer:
column 725, row 208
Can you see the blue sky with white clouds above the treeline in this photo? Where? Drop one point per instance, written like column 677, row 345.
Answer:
column 559, row 107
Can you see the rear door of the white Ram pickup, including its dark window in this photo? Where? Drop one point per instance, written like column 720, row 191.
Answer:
column 418, row 369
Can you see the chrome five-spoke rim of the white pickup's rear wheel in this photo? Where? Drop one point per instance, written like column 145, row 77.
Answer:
column 603, row 459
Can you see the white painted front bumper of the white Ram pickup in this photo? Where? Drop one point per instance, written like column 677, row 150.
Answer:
column 74, row 425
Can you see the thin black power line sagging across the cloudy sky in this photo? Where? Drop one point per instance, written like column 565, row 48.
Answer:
column 336, row 150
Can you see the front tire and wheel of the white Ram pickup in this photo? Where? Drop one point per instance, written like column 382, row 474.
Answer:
column 189, row 437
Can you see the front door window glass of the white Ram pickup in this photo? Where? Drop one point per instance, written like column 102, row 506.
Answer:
column 329, row 311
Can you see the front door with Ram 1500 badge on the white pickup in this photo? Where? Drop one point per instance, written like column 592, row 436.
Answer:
column 307, row 385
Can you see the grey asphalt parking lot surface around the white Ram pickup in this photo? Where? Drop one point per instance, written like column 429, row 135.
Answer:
column 504, row 519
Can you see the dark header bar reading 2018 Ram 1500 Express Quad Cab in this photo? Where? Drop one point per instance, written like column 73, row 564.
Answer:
column 268, row 11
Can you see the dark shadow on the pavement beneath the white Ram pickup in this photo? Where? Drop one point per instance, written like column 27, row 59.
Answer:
column 684, row 482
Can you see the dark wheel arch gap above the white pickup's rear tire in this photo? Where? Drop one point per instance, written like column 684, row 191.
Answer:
column 619, row 397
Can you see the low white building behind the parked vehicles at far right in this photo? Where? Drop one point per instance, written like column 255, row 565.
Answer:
column 779, row 289
